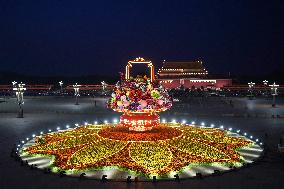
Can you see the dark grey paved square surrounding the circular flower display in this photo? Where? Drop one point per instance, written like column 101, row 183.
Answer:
column 43, row 113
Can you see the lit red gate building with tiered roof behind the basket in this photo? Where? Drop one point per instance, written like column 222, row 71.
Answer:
column 189, row 74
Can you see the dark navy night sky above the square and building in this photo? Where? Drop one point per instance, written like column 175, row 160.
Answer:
column 65, row 37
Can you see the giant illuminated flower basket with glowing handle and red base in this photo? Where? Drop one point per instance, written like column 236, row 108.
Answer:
column 140, row 99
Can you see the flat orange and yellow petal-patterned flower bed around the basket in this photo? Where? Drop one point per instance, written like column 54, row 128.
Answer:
column 168, row 148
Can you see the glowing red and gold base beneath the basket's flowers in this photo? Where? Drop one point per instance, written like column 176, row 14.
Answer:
column 140, row 121
